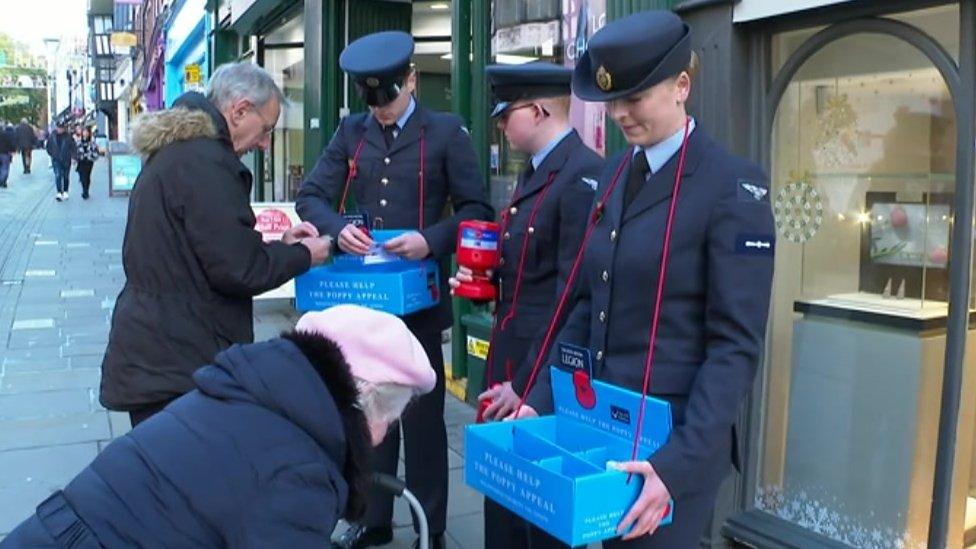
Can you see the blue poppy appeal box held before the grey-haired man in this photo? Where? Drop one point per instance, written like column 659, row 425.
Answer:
column 385, row 283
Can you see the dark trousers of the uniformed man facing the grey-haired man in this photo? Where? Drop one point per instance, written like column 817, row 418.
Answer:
column 425, row 451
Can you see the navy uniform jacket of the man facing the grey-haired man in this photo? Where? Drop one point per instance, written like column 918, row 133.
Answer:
column 386, row 187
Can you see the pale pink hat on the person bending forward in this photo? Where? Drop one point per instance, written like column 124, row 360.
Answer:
column 378, row 346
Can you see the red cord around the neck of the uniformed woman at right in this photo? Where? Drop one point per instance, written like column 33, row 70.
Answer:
column 597, row 213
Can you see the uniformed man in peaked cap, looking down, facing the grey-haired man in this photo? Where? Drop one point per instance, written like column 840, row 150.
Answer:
column 401, row 165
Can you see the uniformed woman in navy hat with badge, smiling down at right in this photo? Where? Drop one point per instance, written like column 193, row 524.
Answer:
column 717, row 285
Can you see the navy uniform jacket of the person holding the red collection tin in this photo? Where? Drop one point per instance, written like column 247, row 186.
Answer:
column 557, row 232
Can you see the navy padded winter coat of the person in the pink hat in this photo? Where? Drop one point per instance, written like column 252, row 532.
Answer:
column 265, row 453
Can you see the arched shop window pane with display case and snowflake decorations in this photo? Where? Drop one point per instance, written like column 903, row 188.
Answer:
column 863, row 156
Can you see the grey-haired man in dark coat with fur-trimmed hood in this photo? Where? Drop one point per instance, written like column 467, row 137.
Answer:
column 192, row 258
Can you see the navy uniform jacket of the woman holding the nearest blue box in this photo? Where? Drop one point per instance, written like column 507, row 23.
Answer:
column 716, row 301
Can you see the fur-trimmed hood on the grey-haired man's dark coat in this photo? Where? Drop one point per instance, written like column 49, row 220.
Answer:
column 192, row 116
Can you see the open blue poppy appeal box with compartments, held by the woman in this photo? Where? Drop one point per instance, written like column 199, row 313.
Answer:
column 552, row 470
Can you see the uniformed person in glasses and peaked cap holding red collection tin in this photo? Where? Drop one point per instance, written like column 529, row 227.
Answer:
column 542, row 230
